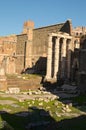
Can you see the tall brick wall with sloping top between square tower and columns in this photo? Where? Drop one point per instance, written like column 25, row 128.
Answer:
column 40, row 43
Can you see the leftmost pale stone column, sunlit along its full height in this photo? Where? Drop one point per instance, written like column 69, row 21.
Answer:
column 49, row 58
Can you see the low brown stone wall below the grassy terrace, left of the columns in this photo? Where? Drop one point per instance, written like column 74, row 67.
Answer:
column 23, row 83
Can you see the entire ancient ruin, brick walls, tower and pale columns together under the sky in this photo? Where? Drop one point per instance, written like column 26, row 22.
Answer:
column 53, row 51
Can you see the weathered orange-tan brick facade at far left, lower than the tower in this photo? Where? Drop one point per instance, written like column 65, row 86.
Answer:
column 7, row 52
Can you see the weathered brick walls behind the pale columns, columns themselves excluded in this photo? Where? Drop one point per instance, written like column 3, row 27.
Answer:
column 30, row 48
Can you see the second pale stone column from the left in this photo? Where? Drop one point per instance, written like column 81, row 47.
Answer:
column 56, row 64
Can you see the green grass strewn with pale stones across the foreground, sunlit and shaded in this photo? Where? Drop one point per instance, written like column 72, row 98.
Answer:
column 35, row 107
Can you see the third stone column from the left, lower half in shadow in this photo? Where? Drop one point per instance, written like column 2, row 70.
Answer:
column 63, row 63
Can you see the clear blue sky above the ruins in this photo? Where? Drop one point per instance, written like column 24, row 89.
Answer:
column 13, row 13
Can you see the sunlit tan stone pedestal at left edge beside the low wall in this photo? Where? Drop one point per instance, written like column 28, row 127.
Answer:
column 3, row 80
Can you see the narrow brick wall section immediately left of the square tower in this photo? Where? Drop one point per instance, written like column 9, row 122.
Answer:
column 20, row 52
